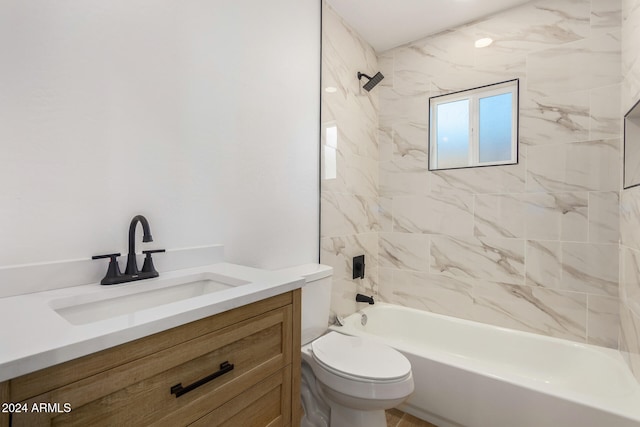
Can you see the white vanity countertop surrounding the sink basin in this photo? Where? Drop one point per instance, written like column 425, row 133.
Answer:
column 34, row 336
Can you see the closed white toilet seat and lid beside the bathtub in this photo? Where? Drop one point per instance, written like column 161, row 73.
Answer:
column 360, row 359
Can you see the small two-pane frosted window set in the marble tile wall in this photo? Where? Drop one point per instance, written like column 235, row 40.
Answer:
column 475, row 127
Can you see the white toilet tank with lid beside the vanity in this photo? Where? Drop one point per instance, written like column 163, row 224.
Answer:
column 316, row 298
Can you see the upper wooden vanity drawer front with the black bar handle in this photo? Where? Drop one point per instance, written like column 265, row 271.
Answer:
column 139, row 392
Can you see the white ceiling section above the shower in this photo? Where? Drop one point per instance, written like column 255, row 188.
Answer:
column 385, row 24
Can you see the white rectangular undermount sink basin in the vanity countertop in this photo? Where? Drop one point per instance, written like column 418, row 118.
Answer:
column 80, row 311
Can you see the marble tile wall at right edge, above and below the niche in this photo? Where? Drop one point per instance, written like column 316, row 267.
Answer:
column 630, row 198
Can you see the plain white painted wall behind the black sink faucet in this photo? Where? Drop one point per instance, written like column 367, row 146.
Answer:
column 201, row 115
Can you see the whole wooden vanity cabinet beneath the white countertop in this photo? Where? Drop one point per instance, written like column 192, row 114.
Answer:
column 249, row 355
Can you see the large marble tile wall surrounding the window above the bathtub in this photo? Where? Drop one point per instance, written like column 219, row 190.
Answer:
column 532, row 246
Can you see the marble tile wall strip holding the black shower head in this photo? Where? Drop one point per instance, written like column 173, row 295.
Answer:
column 349, row 163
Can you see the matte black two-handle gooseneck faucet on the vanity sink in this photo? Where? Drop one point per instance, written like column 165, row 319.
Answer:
column 131, row 273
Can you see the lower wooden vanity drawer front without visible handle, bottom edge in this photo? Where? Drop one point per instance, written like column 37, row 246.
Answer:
column 265, row 404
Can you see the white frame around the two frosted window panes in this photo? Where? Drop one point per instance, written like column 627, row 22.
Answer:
column 473, row 96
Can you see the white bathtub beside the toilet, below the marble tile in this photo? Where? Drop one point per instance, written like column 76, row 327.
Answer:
column 476, row 375
